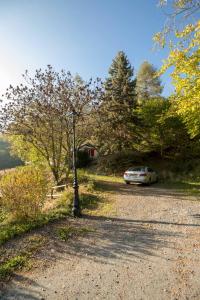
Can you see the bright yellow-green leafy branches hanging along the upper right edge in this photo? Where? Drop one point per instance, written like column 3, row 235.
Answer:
column 185, row 77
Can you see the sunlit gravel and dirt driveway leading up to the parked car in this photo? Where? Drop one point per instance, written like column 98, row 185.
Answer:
column 149, row 250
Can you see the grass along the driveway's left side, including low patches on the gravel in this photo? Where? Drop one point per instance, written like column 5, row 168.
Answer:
column 92, row 201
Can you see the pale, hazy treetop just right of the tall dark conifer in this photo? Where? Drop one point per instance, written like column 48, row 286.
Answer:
column 148, row 85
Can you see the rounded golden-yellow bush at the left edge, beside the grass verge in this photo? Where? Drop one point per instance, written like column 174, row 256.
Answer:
column 24, row 191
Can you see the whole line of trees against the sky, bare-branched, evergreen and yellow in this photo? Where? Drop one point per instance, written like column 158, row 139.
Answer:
column 124, row 112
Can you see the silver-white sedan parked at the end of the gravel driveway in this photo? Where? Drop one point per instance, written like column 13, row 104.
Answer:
column 141, row 175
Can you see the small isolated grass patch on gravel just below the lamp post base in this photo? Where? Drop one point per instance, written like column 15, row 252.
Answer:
column 67, row 232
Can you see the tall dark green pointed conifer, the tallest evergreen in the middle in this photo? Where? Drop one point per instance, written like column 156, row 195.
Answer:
column 117, row 106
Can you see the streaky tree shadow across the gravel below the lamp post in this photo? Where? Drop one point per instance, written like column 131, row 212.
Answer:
column 113, row 239
